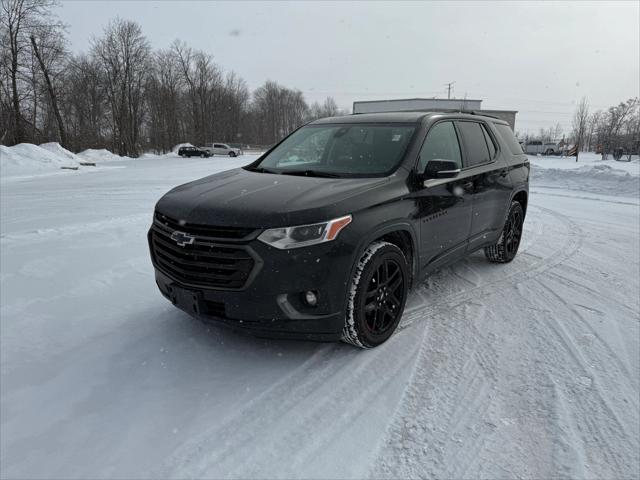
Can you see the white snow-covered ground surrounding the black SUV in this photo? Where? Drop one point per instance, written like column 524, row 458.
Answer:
column 530, row 369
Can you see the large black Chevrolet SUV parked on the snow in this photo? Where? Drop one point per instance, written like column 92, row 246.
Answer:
column 323, row 235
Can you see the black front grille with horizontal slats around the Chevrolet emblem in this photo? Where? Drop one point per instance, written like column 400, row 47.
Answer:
column 206, row 262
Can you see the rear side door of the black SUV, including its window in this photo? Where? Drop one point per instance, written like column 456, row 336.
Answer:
column 488, row 173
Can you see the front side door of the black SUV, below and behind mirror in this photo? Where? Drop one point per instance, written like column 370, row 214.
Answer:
column 444, row 206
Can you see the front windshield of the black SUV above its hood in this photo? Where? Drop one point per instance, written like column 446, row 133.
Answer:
column 340, row 150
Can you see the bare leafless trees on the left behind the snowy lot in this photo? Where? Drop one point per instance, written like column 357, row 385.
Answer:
column 123, row 95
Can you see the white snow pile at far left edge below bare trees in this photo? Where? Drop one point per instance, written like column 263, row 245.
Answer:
column 28, row 159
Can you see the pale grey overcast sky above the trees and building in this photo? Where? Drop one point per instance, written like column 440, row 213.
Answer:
column 538, row 58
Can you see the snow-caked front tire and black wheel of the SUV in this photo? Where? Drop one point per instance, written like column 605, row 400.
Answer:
column 374, row 306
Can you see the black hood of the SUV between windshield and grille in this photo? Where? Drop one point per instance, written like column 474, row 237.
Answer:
column 259, row 200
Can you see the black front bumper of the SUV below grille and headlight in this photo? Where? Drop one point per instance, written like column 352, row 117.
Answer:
column 271, row 303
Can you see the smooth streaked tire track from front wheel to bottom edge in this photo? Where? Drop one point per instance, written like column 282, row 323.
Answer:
column 332, row 393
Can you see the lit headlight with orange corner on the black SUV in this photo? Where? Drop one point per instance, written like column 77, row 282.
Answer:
column 304, row 235
